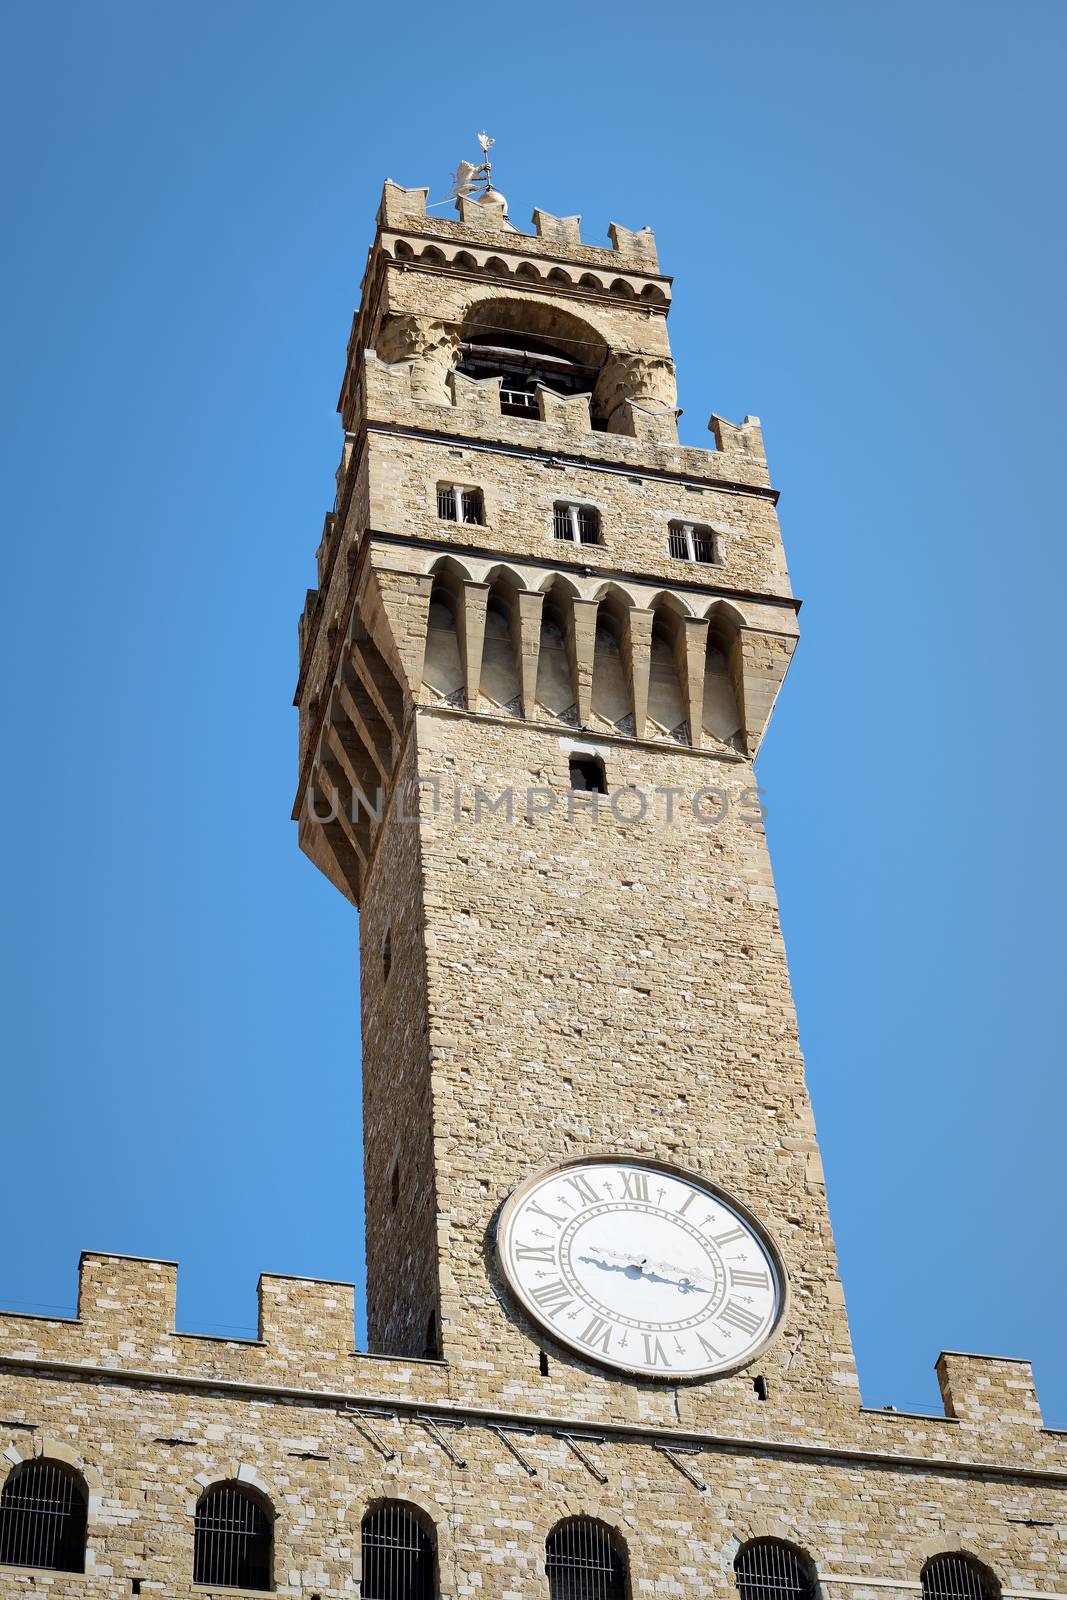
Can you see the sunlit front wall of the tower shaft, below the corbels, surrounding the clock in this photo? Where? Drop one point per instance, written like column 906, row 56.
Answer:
column 613, row 985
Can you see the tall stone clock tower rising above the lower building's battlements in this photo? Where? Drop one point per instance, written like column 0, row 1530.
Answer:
column 543, row 654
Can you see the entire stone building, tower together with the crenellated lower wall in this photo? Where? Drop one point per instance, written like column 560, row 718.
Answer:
column 609, row 1343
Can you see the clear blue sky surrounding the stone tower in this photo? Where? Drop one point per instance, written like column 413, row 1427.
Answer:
column 860, row 207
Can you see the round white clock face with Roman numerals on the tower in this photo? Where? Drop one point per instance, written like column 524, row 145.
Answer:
column 642, row 1268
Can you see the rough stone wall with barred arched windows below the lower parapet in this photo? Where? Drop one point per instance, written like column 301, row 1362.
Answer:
column 150, row 1449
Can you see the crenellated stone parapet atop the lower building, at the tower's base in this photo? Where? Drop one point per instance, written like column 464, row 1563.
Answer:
column 126, row 1327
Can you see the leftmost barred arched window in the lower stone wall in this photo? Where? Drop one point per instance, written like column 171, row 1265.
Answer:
column 42, row 1518
